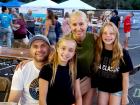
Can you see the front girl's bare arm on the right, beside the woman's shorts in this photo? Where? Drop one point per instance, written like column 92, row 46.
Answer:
column 78, row 96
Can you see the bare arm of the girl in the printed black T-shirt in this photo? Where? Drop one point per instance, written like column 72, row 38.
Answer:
column 125, row 84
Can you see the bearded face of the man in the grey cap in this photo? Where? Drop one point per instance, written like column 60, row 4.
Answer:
column 39, row 50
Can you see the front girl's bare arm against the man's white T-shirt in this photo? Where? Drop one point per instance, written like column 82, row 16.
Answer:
column 43, row 90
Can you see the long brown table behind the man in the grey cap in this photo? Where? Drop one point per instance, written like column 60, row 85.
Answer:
column 14, row 53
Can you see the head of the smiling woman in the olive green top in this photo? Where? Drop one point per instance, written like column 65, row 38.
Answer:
column 78, row 24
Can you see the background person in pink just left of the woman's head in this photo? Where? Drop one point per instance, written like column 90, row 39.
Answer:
column 65, row 24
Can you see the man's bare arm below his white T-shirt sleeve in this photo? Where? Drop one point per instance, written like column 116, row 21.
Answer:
column 14, row 96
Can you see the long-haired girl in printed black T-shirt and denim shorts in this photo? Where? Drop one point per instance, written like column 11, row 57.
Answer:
column 112, row 65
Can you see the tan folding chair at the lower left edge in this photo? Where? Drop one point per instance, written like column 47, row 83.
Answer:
column 5, row 85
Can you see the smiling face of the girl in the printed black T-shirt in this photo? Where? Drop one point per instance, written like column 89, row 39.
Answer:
column 108, row 36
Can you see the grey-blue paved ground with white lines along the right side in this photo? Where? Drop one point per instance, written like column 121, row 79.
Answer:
column 134, row 51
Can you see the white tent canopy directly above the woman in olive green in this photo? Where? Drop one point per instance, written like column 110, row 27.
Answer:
column 75, row 4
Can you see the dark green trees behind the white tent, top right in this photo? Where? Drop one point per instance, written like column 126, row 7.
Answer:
column 112, row 4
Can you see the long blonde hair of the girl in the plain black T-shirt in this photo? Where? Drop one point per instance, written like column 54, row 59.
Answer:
column 72, row 62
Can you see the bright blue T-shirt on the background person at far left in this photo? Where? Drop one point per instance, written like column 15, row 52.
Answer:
column 5, row 19
